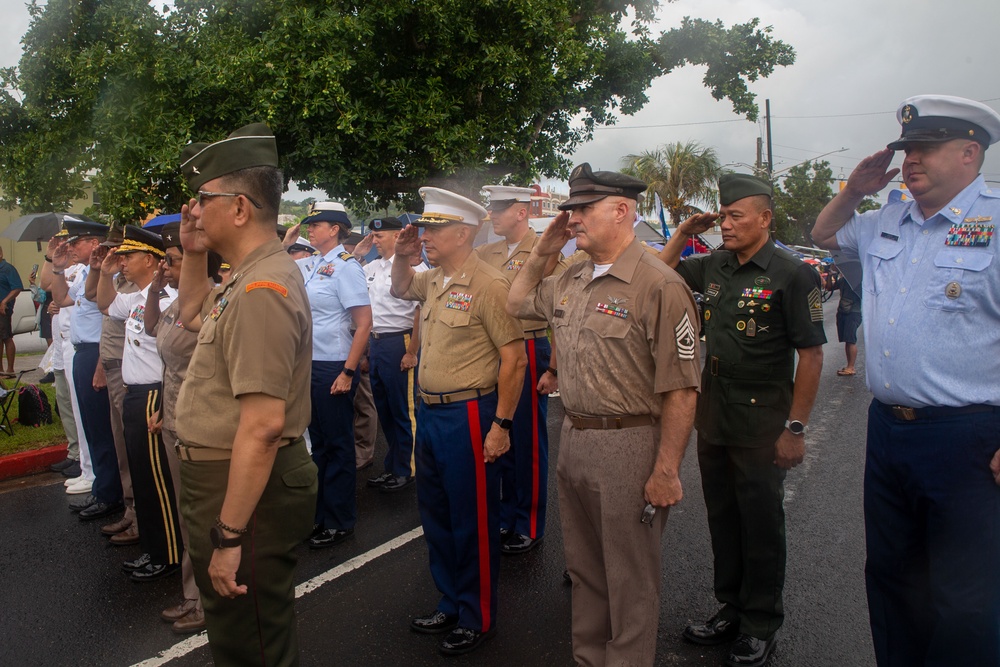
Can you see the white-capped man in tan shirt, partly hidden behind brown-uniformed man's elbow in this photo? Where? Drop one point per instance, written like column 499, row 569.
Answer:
column 524, row 471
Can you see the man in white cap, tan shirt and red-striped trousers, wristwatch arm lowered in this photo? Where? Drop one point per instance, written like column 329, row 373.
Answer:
column 470, row 372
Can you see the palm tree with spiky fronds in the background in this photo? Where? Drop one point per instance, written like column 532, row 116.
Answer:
column 681, row 173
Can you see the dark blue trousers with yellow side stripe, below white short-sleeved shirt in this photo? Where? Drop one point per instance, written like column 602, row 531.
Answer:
column 395, row 397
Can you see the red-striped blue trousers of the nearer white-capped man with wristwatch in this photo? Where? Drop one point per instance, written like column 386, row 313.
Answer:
column 458, row 495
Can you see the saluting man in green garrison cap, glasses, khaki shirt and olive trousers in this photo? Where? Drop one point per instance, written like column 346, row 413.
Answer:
column 248, row 485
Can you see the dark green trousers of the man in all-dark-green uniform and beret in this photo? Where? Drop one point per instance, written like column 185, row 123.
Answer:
column 744, row 494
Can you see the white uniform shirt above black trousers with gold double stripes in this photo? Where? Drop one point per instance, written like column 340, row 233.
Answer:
column 141, row 362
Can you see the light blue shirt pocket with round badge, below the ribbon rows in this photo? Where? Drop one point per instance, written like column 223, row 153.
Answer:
column 960, row 273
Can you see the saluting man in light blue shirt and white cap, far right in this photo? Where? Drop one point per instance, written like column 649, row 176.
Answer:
column 931, row 277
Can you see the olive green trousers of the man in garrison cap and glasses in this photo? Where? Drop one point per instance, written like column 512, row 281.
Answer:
column 257, row 628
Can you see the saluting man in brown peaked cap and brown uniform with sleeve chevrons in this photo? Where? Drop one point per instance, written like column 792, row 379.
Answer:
column 624, row 327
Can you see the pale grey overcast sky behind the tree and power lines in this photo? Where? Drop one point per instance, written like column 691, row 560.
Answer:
column 856, row 61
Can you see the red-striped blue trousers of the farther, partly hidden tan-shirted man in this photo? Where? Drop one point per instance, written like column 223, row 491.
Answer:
column 524, row 470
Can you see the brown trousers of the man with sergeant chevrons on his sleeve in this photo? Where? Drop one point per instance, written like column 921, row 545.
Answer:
column 612, row 557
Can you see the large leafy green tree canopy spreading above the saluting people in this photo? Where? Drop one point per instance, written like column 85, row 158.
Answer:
column 368, row 100
